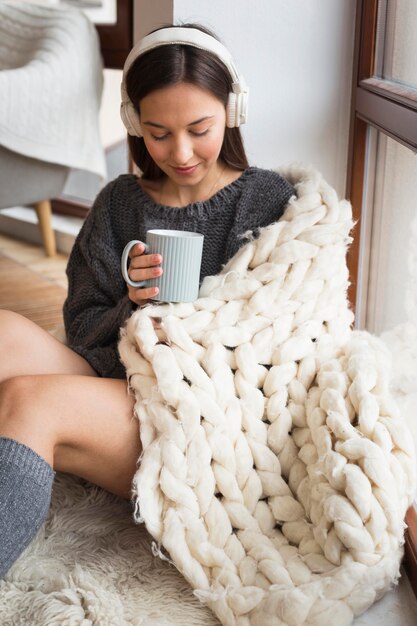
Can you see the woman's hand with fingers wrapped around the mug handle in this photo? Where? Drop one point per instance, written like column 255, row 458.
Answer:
column 143, row 267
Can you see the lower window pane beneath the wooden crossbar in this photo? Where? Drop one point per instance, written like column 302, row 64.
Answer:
column 387, row 267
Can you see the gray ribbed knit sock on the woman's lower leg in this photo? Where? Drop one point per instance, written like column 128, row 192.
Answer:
column 25, row 494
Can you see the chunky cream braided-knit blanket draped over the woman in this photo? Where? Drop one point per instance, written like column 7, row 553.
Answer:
column 276, row 471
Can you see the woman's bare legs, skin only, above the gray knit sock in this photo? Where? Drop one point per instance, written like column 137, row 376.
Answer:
column 52, row 401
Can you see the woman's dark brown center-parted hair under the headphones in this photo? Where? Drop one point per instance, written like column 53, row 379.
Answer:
column 169, row 65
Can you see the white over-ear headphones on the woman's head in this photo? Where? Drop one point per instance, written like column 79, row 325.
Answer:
column 237, row 103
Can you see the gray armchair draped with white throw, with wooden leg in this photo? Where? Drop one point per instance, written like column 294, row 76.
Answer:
column 51, row 79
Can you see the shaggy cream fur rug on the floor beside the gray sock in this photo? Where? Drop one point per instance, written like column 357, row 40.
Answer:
column 91, row 565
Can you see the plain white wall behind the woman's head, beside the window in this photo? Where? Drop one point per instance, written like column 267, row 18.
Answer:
column 296, row 56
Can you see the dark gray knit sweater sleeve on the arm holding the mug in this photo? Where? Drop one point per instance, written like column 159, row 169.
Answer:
column 97, row 304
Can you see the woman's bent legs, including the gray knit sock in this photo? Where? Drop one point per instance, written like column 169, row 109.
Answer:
column 55, row 413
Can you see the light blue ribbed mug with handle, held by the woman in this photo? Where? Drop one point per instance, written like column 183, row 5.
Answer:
column 181, row 261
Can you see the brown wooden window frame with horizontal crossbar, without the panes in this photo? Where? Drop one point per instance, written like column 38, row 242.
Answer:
column 391, row 108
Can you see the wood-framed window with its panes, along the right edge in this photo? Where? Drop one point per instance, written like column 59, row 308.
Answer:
column 382, row 186
